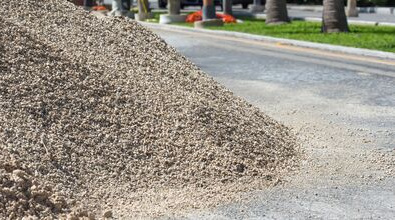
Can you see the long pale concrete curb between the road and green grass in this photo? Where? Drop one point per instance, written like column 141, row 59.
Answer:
column 298, row 43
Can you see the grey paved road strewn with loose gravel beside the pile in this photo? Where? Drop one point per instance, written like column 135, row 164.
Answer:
column 341, row 106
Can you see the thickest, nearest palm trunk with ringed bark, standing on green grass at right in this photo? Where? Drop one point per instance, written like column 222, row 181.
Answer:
column 334, row 17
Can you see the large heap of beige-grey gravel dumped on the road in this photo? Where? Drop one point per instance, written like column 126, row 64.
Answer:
column 101, row 110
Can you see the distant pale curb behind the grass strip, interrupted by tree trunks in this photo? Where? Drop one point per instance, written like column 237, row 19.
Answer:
column 350, row 21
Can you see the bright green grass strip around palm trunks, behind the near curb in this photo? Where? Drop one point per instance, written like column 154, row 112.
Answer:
column 361, row 36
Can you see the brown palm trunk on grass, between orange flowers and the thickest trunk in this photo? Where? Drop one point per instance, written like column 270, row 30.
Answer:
column 276, row 12
